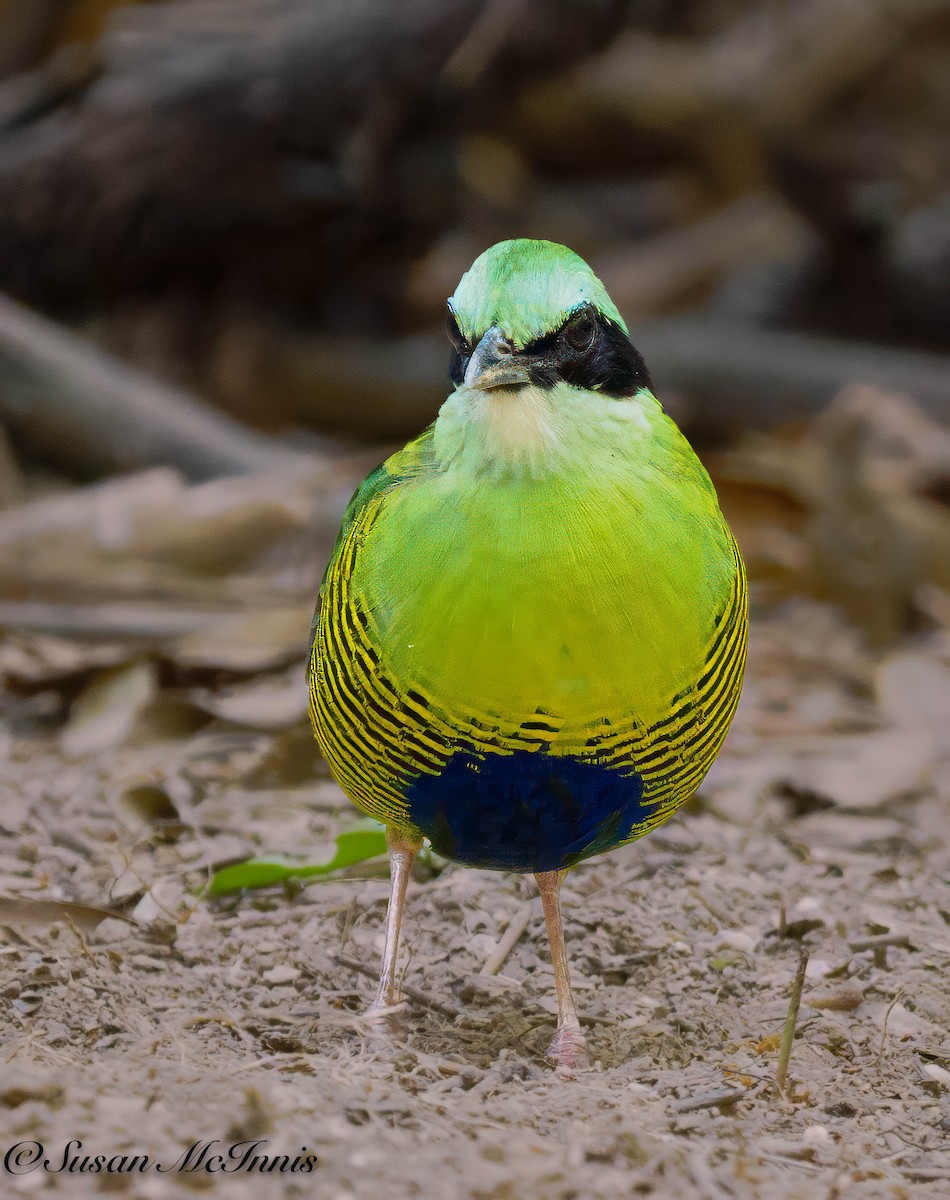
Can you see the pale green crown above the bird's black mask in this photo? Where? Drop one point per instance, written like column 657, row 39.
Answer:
column 527, row 289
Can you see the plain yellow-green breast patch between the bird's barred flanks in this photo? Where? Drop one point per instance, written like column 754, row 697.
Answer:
column 584, row 602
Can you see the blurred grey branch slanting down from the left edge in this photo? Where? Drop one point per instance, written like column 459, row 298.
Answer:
column 85, row 409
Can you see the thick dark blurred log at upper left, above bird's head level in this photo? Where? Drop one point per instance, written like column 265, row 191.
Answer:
column 262, row 143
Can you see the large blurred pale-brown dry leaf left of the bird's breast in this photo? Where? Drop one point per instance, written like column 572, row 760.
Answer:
column 153, row 538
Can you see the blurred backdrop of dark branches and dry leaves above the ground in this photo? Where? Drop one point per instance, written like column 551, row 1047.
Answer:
column 227, row 233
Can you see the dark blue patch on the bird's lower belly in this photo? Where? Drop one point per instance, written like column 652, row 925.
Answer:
column 526, row 812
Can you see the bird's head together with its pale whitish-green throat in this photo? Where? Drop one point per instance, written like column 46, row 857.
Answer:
column 545, row 377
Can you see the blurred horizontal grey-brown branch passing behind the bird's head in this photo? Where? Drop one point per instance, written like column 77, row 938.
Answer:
column 733, row 376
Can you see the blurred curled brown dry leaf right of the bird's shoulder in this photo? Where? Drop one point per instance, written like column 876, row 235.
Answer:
column 869, row 473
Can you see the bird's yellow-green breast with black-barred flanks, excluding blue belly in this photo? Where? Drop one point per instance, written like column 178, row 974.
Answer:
column 600, row 615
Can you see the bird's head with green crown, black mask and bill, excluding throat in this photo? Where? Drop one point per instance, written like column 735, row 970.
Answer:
column 533, row 314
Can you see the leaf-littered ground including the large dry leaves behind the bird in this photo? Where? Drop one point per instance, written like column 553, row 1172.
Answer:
column 145, row 759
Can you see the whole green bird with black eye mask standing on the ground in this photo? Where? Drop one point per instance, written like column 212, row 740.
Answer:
column 532, row 634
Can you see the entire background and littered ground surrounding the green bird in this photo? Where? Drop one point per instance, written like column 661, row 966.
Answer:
column 229, row 230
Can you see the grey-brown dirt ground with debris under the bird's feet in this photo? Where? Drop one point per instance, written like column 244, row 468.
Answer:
column 823, row 826
